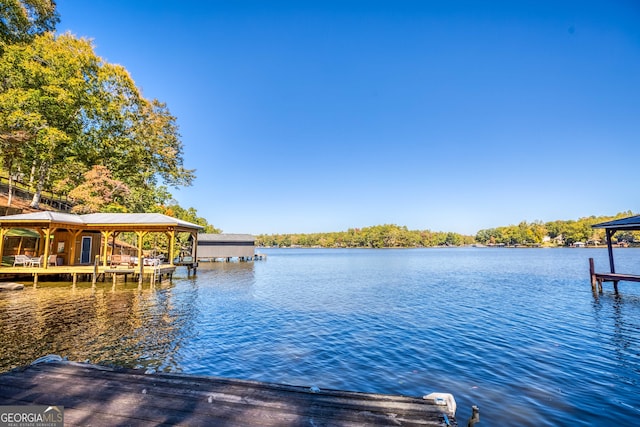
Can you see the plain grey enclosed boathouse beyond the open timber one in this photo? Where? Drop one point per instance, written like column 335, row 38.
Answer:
column 225, row 246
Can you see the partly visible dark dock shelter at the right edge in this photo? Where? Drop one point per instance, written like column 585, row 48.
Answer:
column 611, row 227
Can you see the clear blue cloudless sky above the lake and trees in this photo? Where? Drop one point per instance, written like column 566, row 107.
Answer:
column 317, row 116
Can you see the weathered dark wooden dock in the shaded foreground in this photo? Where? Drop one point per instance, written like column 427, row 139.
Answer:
column 102, row 396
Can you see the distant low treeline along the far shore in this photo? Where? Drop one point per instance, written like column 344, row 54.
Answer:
column 555, row 233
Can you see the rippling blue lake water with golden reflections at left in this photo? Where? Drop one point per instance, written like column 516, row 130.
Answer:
column 517, row 332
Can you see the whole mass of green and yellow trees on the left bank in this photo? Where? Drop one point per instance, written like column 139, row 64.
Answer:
column 75, row 124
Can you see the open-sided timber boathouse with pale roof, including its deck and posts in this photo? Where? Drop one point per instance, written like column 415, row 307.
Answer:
column 69, row 243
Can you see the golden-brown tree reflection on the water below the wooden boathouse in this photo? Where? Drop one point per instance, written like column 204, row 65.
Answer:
column 124, row 325
